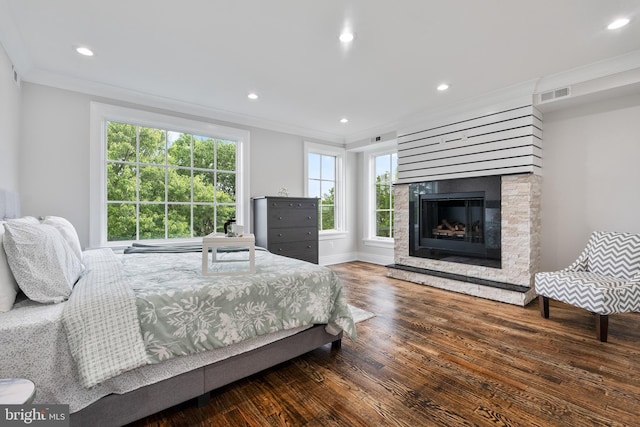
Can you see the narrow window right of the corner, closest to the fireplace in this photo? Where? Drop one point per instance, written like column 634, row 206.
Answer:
column 384, row 167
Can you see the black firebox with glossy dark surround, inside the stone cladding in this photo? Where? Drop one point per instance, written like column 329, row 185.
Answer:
column 456, row 221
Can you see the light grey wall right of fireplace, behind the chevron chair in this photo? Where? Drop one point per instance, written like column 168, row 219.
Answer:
column 591, row 176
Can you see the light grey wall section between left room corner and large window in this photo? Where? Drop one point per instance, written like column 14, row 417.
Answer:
column 54, row 155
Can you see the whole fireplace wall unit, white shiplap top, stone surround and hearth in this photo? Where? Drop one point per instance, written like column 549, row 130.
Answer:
column 467, row 202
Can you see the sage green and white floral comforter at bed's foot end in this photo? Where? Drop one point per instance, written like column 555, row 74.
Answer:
column 183, row 312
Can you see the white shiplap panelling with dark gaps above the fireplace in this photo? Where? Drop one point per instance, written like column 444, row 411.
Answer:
column 501, row 143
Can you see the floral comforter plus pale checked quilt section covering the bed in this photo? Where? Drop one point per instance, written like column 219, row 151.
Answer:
column 136, row 309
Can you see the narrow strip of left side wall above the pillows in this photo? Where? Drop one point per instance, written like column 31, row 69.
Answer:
column 9, row 124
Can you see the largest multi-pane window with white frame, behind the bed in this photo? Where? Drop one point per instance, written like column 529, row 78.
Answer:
column 160, row 177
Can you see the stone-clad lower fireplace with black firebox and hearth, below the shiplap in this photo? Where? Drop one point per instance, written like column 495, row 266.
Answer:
column 503, row 270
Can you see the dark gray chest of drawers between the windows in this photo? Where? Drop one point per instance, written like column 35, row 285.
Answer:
column 287, row 226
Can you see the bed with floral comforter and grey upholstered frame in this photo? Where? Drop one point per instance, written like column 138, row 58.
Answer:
column 141, row 332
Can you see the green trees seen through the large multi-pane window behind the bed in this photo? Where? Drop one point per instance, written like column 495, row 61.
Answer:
column 163, row 184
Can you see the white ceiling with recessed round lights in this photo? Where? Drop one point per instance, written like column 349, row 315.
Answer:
column 210, row 54
